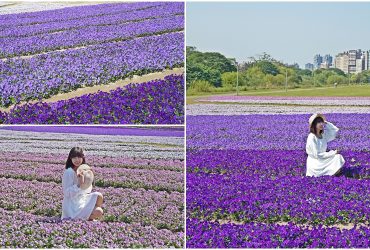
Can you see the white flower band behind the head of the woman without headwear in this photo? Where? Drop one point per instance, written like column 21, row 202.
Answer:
column 101, row 145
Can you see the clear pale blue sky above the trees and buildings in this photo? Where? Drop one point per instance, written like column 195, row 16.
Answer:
column 292, row 32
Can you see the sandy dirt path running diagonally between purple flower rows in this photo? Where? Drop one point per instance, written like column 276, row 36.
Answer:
column 107, row 87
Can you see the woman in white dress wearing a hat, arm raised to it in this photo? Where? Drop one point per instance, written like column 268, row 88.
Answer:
column 320, row 162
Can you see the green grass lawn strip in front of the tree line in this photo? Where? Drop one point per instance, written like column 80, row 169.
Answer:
column 351, row 90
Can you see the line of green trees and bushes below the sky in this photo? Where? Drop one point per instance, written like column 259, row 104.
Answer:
column 212, row 71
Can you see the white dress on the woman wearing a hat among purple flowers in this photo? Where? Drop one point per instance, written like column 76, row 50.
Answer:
column 320, row 162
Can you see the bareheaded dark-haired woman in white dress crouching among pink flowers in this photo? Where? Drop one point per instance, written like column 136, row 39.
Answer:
column 79, row 203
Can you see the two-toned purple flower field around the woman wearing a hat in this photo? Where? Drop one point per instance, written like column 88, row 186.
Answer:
column 246, row 184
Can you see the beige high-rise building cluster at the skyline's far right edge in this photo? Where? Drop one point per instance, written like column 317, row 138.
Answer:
column 352, row 61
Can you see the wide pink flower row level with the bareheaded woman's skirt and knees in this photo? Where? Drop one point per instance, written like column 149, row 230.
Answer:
column 148, row 208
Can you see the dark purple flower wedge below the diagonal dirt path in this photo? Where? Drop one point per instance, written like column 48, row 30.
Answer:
column 155, row 102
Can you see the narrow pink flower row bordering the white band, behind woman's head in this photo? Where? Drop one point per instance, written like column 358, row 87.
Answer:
column 96, row 161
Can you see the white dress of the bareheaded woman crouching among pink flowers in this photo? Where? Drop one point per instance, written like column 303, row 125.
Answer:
column 77, row 203
